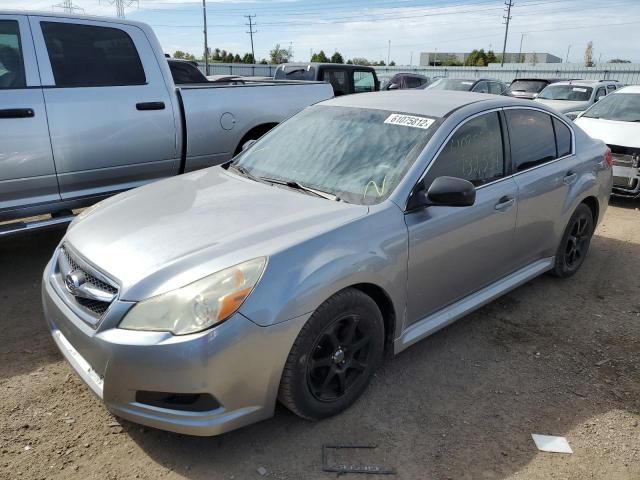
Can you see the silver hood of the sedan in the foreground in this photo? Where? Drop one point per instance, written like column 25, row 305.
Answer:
column 170, row 233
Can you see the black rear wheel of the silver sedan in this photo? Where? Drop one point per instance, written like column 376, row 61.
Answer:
column 575, row 243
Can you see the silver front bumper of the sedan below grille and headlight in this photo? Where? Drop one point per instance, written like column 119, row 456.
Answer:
column 238, row 363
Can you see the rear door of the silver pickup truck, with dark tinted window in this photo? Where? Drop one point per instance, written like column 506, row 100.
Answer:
column 110, row 113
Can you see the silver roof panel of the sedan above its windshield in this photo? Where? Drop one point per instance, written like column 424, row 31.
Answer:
column 433, row 103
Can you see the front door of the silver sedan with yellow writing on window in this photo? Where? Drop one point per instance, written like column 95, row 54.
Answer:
column 455, row 251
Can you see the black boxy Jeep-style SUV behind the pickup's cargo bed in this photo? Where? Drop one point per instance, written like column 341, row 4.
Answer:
column 345, row 79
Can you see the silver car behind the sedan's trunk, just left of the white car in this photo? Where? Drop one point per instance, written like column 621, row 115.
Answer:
column 573, row 97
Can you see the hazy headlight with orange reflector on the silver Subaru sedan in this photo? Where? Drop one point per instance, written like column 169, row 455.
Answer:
column 199, row 305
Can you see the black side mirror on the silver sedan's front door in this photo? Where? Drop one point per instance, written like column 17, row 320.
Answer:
column 444, row 192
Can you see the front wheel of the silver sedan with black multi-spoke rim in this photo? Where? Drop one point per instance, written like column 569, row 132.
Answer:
column 334, row 356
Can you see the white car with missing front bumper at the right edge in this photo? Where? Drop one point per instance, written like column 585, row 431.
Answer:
column 616, row 120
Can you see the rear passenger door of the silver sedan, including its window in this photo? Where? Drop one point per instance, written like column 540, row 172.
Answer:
column 545, row 170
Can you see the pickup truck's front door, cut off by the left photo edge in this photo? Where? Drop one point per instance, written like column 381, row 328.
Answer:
column 27, row 172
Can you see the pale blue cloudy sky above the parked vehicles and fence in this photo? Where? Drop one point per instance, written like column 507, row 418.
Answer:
column 364, row 28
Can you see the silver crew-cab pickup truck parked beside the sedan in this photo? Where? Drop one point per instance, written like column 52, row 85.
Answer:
column 89, row 108
